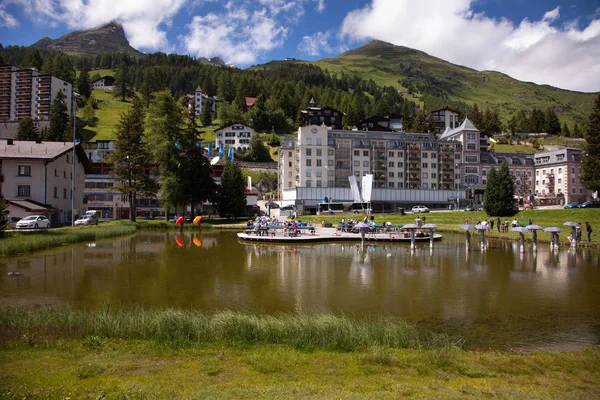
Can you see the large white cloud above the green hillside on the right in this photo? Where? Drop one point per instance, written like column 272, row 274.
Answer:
column 540, row 51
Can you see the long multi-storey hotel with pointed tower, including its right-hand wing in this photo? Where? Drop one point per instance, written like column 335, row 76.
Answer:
column 417, row 168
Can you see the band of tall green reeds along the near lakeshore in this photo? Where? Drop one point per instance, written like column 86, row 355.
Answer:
column 176, row 328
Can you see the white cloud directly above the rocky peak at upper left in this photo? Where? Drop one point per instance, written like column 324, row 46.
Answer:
column 141, row 19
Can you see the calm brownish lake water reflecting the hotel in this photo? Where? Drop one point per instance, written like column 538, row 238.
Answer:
column 499, row 298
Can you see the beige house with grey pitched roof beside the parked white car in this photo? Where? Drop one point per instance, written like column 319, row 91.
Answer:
column 37, row 176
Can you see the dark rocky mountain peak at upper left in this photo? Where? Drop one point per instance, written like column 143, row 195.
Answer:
column 108, row 38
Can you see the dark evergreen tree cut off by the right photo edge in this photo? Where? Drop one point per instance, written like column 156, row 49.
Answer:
column 590, row 164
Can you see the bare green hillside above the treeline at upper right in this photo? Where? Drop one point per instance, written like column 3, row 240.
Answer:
column 417, row 74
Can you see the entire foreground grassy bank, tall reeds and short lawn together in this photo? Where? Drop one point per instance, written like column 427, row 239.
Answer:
column 59, row 354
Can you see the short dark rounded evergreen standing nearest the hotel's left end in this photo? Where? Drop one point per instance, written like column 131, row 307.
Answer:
column 231, row 200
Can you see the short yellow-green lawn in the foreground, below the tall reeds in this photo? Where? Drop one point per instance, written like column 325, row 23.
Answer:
column 96, row 368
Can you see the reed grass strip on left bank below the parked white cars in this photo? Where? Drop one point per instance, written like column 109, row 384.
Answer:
column 27, row 242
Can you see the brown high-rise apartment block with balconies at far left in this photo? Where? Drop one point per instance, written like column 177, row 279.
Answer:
column 28, row 93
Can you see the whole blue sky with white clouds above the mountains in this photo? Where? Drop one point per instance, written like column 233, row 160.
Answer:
column 543, row 41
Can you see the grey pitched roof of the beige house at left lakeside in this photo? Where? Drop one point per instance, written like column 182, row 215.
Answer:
column 43, row 151
